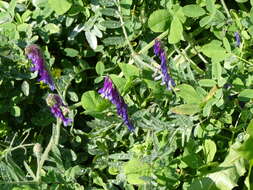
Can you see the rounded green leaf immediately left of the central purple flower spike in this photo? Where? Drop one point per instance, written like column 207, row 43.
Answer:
column 93, row 102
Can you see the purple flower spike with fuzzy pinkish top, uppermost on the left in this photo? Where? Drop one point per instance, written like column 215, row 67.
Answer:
column 34, row 54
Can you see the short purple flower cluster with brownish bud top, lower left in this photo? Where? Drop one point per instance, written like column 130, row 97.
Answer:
column 57, row 108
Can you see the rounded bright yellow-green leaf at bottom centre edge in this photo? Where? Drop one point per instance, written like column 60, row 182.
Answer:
column 136, row 171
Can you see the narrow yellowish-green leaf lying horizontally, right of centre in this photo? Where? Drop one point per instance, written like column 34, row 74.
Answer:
column 186, row 109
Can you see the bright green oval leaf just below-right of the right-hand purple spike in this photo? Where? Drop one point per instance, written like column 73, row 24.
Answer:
column 189, row 94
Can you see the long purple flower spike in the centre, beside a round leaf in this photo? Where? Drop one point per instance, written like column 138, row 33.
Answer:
column 110, row 92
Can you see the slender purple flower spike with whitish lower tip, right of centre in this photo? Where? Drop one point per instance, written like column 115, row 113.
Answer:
column 166, row 78
